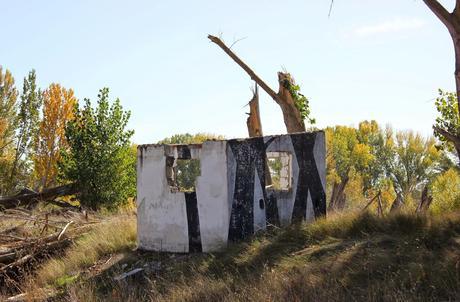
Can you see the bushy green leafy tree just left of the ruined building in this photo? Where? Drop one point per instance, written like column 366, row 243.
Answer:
column 99, row 159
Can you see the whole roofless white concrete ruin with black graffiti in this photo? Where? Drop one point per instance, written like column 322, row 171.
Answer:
column 194, row 198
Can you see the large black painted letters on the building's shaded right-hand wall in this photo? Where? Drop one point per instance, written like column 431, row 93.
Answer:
column 250, row 156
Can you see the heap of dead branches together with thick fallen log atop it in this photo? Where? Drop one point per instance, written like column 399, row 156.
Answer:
column 27, row 237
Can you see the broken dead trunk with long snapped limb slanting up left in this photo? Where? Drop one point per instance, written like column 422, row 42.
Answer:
column 291, row 115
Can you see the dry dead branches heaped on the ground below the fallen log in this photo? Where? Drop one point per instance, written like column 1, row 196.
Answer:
column 29, row 237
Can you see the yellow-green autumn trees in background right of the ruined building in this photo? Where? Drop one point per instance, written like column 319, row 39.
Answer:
column 364, row 161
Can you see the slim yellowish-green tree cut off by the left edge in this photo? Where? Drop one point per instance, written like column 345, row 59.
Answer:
column 8, row 122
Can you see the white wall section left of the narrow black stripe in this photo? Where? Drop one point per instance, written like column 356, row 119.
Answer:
column 161, row 215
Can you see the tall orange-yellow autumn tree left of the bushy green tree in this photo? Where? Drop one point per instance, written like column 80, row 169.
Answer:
column 58, row 104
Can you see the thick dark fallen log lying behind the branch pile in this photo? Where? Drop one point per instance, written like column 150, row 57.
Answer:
column 28, row 197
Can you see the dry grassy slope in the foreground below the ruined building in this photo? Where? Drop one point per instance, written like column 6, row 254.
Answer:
column 344, row 258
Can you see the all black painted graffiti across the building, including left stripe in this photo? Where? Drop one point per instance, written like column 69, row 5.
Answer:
column 250, row 156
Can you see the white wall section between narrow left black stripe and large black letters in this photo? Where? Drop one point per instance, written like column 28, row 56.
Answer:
column 212, row 196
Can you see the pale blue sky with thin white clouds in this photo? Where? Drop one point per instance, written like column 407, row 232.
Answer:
column 371, row 59
